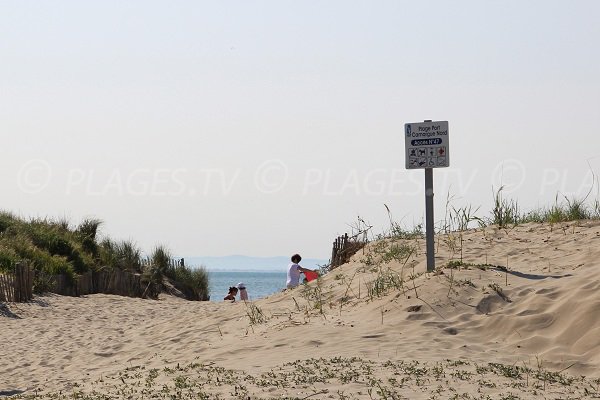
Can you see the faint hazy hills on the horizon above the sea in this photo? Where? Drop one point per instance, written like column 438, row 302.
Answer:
column 245, row 263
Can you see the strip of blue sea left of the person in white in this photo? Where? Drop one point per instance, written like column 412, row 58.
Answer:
column 258, row 284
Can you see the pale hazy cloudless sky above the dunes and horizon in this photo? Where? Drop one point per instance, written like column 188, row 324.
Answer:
column 266, row 127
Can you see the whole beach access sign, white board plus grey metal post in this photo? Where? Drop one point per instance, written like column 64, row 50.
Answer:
column 427, row 147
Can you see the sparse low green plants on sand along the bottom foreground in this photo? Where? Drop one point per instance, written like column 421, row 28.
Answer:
column 335, row 378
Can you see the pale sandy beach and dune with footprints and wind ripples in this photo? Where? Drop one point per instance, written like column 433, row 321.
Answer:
column 518, row 317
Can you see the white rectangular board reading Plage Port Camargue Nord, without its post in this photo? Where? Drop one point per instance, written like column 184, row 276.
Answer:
column 427, row 144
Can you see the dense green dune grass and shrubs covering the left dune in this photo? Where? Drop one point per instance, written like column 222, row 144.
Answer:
column 54, row 247
